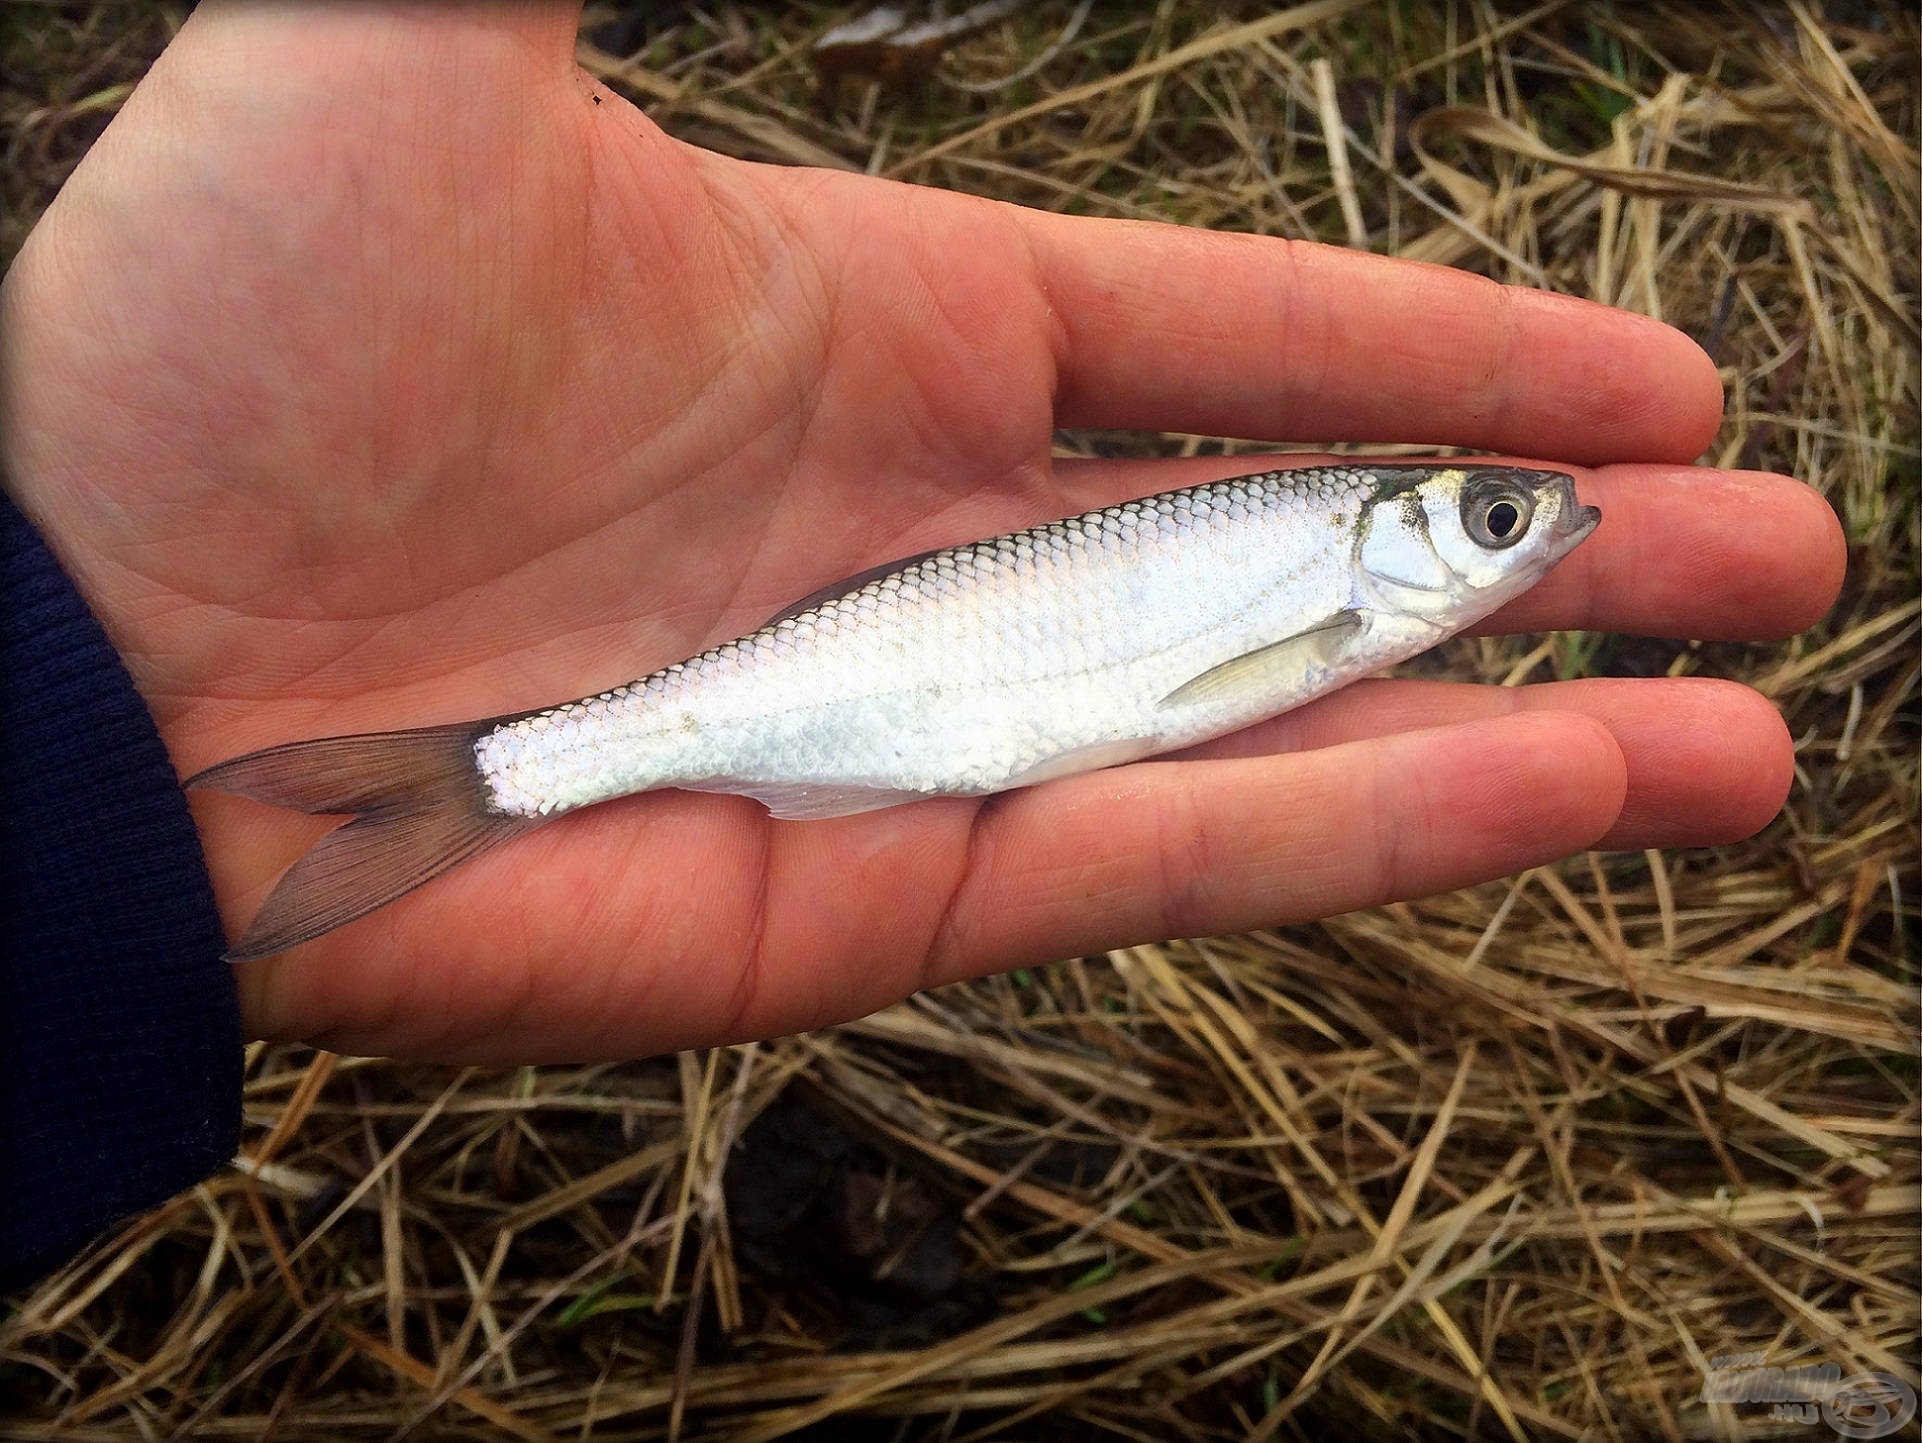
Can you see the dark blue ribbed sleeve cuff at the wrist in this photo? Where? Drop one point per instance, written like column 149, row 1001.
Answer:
column 120, row 1031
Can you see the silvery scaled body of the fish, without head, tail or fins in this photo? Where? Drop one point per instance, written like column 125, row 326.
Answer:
column 1064, row 639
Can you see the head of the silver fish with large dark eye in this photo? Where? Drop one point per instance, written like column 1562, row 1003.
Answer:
column 1452, row 545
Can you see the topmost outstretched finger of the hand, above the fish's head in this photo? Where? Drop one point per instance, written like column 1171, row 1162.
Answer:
column 1177, row 330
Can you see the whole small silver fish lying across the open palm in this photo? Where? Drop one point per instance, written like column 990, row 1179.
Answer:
column 1081, row 645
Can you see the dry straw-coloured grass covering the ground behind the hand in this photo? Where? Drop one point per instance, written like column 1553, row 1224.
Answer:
column 1508, row 1163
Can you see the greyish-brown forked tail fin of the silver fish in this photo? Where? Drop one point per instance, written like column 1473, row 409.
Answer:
column 418, row 810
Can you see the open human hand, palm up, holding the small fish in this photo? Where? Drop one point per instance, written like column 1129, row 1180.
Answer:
column 378, row 370
